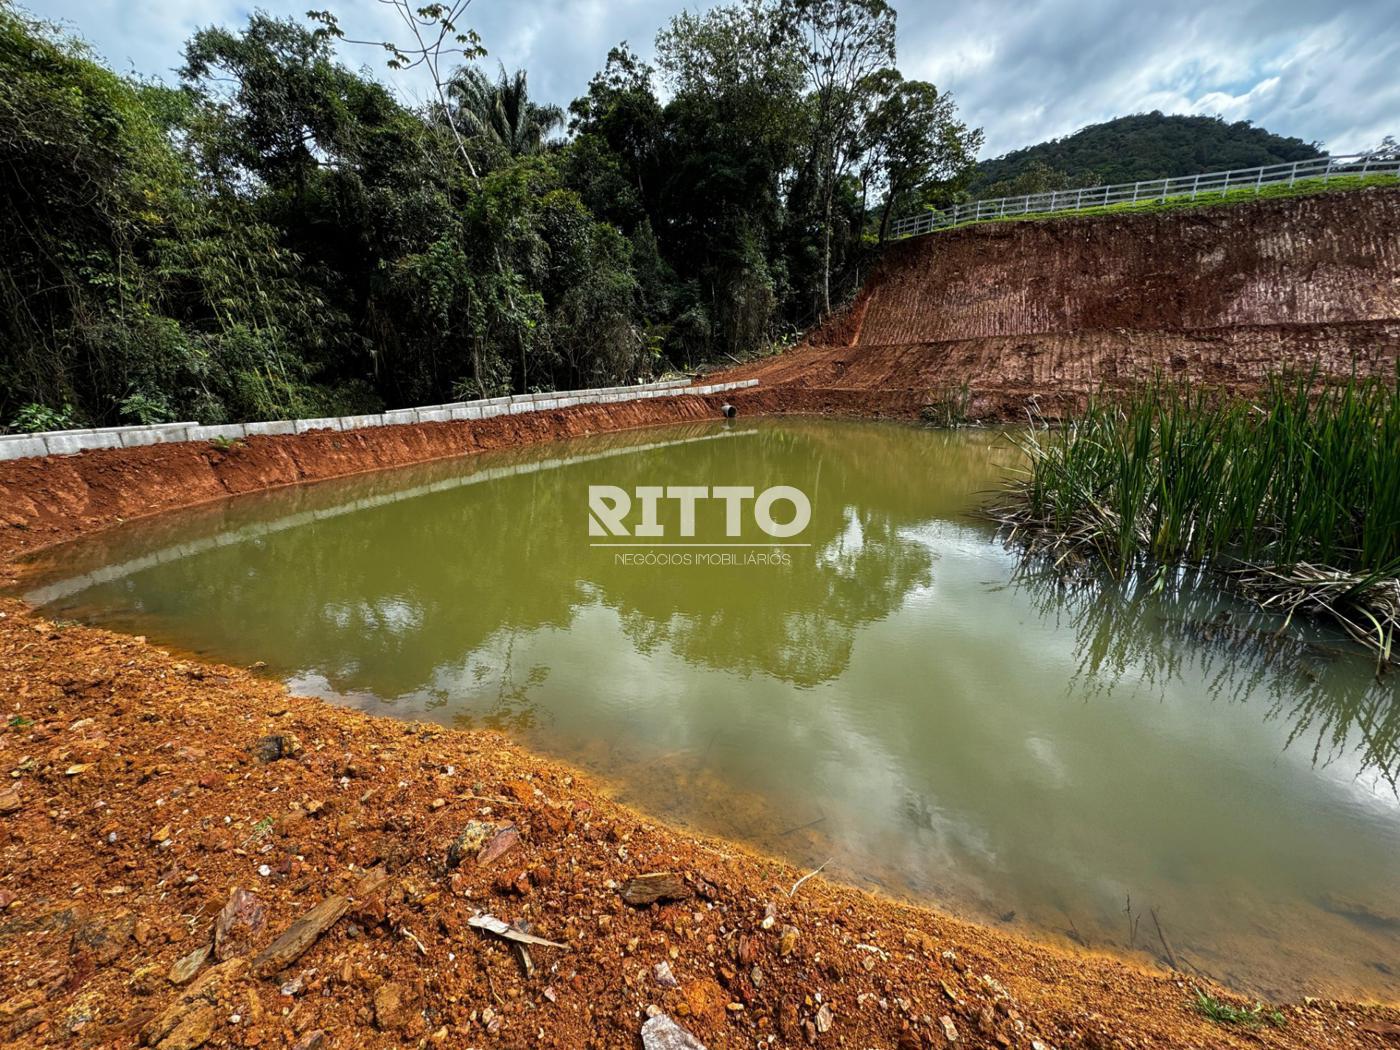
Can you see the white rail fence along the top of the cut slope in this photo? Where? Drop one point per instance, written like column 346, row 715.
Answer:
column 1192, row 187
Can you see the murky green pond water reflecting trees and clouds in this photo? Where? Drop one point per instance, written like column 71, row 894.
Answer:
column 898, row 698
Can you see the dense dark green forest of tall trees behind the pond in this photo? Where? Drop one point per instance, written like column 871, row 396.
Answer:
column 278, row 234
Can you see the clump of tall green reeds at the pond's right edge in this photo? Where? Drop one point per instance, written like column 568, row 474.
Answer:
column 1296, row 493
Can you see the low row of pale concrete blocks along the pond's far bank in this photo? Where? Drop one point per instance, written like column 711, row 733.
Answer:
column 71, row 442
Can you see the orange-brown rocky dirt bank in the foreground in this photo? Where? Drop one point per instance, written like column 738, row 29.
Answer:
column 192, row 857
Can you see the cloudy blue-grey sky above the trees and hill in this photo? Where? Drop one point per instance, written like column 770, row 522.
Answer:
column 1024, row 71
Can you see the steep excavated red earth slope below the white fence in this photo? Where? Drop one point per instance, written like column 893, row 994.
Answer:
column 1056, row 309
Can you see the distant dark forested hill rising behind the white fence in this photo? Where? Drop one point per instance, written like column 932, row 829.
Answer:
column 1144, row 146
